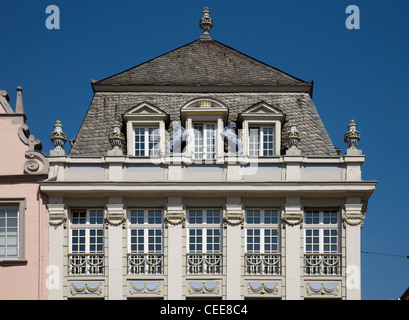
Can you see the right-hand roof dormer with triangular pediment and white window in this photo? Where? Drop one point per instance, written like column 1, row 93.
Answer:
column 262, row 130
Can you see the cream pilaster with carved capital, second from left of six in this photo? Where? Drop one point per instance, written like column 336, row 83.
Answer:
column 115, row 223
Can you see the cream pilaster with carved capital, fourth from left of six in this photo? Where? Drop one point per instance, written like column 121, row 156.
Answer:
column 233, row 221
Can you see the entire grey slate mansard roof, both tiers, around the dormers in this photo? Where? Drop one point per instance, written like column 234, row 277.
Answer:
column 201, row 69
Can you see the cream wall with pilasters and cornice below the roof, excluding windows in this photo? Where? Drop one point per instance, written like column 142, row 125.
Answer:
column 104, row 183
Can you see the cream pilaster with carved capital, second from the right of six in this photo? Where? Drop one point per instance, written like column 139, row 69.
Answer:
column 292, row 219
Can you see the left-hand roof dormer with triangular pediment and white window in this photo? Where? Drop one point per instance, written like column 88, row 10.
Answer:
column 145, row 127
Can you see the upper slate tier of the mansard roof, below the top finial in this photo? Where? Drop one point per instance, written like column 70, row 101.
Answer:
column 203, row 63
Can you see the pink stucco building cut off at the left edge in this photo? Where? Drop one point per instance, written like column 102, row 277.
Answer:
column 23, row 225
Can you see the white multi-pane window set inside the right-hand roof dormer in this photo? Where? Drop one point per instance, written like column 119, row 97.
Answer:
column 261, row 141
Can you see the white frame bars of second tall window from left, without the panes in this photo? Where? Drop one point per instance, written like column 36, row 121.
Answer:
column 145, row 227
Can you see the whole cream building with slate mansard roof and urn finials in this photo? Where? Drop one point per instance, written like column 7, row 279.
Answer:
column 204, row 173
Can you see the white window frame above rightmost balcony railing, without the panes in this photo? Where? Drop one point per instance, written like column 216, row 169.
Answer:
column 321, row 227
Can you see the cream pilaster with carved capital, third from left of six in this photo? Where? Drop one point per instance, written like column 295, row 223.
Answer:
column 175, row 218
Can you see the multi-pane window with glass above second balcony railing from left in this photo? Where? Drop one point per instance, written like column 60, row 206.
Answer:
column 146, row 231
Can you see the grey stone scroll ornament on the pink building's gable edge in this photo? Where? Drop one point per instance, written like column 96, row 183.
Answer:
column 34, row 155
